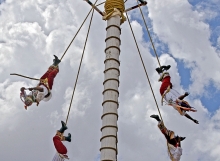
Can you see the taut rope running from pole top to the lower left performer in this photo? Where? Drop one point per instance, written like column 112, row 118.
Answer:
column 80, row 64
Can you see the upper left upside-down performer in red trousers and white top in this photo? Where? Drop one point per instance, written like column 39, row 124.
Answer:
column 43, row 90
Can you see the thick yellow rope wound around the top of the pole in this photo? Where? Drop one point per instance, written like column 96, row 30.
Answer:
column 111, row 5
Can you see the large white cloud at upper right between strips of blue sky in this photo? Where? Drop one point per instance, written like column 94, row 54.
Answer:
column 187, row 37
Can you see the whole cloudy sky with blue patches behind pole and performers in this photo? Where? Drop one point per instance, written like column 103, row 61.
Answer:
column 186, row 36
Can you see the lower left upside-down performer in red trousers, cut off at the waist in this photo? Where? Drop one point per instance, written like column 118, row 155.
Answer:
column 57, row 140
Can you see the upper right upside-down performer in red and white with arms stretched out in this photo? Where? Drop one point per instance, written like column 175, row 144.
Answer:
column 171, row 96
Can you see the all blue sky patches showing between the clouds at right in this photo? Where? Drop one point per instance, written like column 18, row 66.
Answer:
column 210, row 100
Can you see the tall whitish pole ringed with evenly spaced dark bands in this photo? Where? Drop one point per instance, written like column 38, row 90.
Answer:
column 110, row 103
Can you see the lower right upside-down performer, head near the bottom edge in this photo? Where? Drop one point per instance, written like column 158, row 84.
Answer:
column 174, row 142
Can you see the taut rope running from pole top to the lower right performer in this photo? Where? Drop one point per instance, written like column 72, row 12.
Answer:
column 146, row 73
